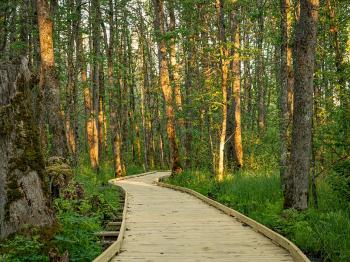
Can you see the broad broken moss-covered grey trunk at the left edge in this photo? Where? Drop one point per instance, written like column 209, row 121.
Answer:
column 22, row 190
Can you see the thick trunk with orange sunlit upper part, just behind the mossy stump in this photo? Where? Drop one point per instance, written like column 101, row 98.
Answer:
column 49, row 83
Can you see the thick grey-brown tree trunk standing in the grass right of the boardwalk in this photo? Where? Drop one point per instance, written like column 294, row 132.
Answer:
column 296, row 193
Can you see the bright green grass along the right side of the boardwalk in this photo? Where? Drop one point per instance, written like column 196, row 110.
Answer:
column 321, row 233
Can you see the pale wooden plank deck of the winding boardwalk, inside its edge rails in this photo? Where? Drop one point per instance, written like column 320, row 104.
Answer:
column 167, row 225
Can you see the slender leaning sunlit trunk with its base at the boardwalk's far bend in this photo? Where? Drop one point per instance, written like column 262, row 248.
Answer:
column 166, row 88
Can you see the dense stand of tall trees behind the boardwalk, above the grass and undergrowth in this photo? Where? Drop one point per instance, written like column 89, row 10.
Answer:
column 190, row 84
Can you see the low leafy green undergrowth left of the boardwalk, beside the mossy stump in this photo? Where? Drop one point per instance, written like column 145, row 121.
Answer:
column 83, row 210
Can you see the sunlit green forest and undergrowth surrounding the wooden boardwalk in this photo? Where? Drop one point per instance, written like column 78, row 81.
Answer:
column 245, row 102
